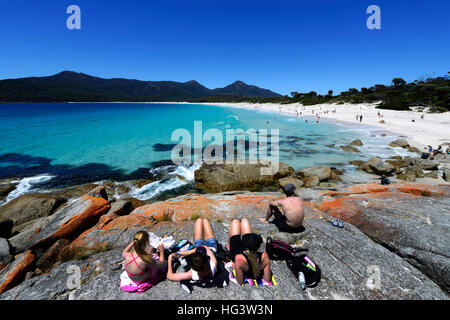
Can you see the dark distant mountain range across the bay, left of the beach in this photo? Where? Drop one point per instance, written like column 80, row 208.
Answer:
column 79, row 87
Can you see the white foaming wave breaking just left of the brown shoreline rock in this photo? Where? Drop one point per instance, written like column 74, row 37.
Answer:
column 181, row 176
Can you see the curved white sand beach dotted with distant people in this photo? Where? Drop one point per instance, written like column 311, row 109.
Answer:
column 433, row 130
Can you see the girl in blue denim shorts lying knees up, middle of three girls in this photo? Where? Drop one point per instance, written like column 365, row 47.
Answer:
column 202, row 260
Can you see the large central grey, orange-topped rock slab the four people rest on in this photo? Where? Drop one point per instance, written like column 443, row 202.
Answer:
column 346, row 256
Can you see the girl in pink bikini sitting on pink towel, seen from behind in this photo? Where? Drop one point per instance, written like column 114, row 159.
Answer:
column 143, row 268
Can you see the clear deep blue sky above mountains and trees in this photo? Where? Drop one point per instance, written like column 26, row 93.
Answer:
column 281, row 45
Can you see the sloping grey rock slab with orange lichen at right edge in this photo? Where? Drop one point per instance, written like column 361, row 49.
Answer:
column 410, row 220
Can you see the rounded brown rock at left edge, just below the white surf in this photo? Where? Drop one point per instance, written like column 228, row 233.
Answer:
column 31, row 206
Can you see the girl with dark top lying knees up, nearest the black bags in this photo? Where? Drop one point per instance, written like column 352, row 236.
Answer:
column 248, row 262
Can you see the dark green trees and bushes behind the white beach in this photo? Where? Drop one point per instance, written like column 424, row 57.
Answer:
column 400, row 95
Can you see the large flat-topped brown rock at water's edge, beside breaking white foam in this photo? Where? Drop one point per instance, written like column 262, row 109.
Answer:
column 229, row 177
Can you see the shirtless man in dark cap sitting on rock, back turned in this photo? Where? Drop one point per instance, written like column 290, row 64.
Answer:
column 290, row 218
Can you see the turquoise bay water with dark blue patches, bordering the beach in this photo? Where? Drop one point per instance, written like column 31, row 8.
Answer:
column 73, row 143
